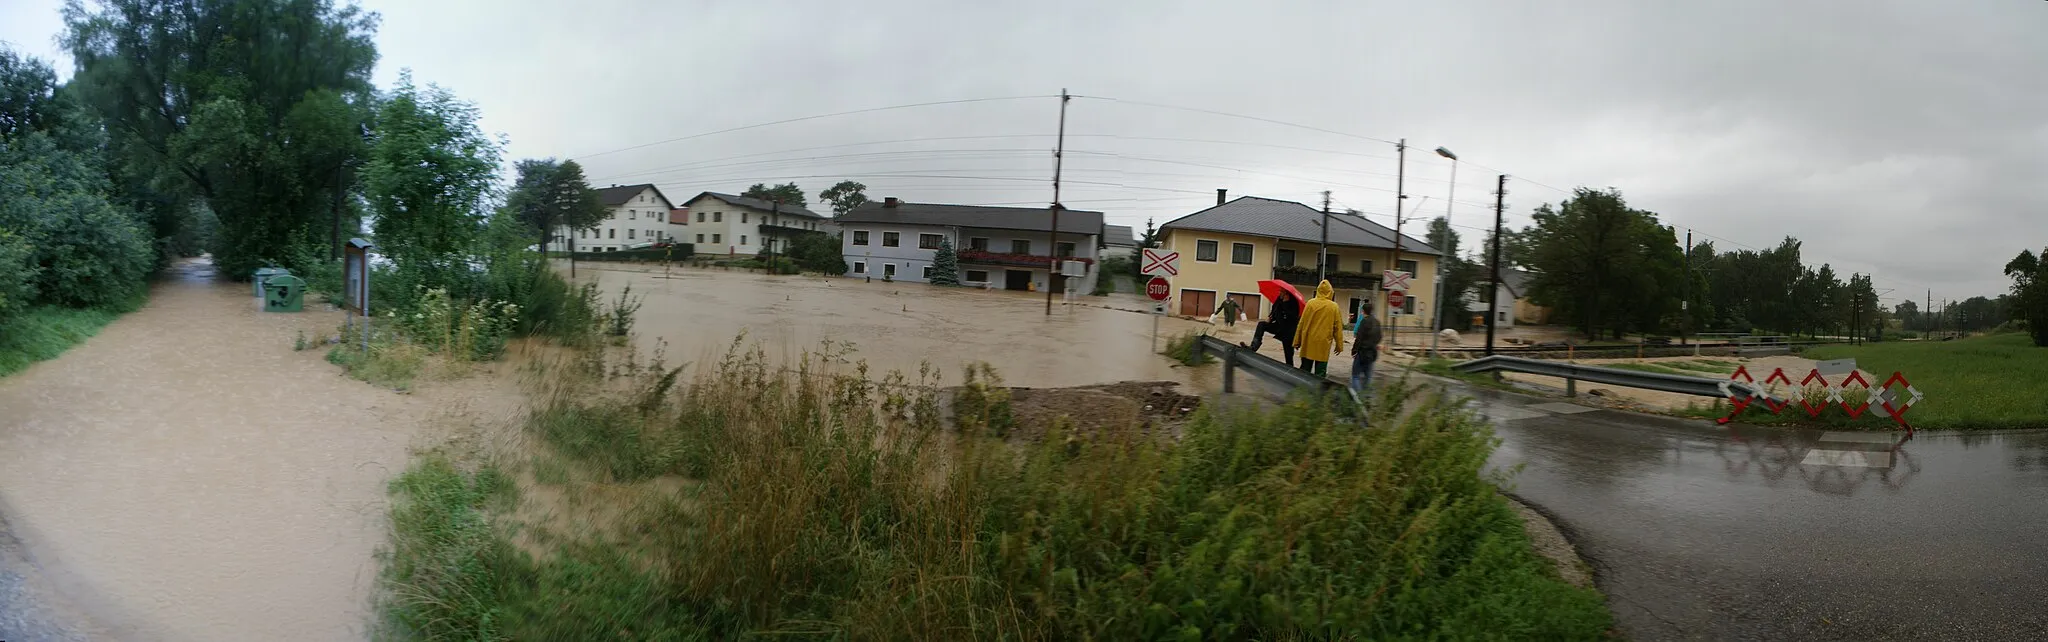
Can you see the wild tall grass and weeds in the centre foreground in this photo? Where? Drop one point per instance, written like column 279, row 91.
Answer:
column 828, row 506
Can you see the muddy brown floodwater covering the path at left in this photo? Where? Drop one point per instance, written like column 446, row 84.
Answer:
column 189, row 477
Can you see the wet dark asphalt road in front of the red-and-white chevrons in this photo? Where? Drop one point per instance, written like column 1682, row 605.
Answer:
column 1703, row 532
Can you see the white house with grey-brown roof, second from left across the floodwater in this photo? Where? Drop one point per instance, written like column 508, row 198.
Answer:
column 724, row 225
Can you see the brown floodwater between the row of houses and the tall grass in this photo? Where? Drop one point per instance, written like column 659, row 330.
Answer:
column 900, row 325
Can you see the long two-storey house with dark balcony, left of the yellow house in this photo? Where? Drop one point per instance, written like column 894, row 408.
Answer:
column 996, row 247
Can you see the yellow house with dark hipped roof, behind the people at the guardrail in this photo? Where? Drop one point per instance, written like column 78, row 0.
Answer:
column 1228, row 249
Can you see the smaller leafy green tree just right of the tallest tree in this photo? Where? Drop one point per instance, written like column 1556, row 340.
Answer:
column 429, row 173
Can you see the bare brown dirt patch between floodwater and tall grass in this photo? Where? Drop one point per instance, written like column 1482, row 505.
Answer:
column 1148, row 407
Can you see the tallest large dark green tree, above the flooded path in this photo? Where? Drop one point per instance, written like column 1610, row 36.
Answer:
column 247, row 106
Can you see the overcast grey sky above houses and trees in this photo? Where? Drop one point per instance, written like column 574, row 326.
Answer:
column 1895, row 138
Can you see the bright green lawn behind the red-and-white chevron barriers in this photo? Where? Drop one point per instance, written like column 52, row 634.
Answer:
column 1971, row 385
